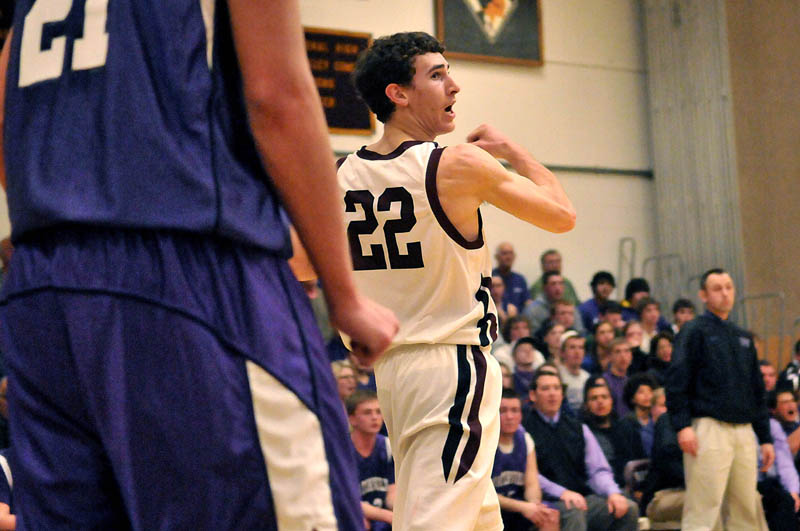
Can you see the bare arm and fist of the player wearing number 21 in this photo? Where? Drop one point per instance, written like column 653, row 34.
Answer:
column 289, row 128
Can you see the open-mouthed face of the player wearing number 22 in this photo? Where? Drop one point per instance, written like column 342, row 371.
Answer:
column 431, row 95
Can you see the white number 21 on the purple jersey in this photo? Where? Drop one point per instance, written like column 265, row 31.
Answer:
column 88, row 51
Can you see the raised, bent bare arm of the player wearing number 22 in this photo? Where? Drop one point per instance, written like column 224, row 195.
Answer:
column 535, row 195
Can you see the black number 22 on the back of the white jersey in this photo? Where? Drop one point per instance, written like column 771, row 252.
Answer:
column 376, row 259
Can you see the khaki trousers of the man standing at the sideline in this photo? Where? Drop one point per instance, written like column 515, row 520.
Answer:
column 725, row 470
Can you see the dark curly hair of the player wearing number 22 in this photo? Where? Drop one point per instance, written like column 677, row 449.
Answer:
column 390, row 60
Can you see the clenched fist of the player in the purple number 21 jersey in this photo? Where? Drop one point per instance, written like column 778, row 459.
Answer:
column 371, row 327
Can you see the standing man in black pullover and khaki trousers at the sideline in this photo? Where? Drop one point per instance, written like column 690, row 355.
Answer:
column 715, row 396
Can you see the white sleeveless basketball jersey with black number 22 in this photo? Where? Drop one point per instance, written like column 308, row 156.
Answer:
column 408, row 256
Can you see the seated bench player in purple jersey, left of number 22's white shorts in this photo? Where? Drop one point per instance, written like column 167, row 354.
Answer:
column 374, row 457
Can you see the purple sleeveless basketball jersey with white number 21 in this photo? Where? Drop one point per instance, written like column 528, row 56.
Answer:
column 130, row 114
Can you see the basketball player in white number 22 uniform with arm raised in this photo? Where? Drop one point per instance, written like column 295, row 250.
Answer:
column 414, row 226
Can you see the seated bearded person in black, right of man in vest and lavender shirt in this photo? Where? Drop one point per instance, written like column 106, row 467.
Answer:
column 619, row 441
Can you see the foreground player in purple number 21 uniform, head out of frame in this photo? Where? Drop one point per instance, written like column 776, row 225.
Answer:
column 165, row 371
